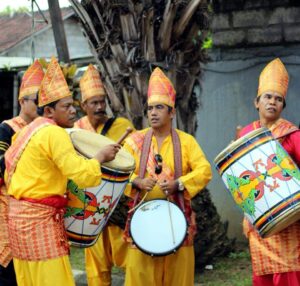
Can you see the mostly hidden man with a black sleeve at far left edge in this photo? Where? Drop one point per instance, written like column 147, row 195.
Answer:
column 30, row 85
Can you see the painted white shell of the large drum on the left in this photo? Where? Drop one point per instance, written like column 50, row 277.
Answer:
column 89, row 209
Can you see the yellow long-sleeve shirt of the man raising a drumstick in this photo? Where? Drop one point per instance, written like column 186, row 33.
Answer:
column 46, row 164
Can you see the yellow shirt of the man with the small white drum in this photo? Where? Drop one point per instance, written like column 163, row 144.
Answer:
column 196, row 170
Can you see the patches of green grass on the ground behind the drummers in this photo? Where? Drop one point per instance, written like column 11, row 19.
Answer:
column 234, row 270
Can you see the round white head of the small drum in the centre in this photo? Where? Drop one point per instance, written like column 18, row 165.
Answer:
column 158, row 227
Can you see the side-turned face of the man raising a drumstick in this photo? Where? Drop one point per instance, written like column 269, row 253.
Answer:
column 64, row 113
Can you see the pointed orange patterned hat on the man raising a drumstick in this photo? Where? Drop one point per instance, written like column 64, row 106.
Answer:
column 54, row 85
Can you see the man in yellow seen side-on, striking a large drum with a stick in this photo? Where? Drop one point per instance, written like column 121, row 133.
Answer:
column 38, row 166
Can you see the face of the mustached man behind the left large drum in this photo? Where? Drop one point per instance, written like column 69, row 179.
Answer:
column 95, row 107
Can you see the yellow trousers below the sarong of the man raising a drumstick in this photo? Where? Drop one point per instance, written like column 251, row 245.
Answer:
column 51, row 272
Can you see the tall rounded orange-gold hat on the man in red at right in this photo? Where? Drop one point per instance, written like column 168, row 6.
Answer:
column 274, row 77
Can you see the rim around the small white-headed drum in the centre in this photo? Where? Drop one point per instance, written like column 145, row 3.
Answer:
column 161, row 253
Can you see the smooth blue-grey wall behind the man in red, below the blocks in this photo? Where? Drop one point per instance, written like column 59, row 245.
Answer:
column 229, row 86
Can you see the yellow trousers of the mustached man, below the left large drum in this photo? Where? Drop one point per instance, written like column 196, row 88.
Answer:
column 109, row 250
